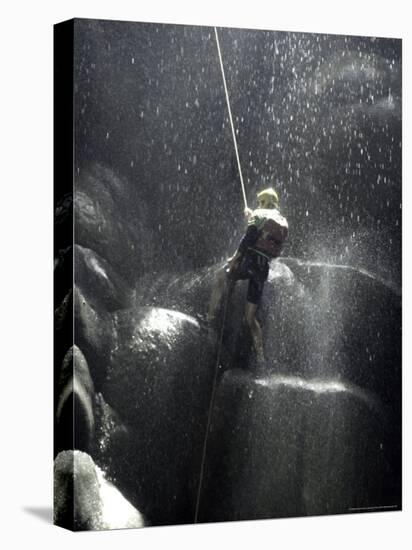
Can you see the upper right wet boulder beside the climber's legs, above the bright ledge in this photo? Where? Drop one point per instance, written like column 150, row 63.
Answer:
column 330, row 320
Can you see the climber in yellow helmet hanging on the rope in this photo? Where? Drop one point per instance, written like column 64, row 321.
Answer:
column 263, row 241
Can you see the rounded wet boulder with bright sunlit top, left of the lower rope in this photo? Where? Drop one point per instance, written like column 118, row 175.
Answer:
column 159, row 383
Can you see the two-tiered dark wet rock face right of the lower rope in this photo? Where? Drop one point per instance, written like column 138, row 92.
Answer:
column 315, row 431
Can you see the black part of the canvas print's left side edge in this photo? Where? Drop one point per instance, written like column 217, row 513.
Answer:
column 63, row 185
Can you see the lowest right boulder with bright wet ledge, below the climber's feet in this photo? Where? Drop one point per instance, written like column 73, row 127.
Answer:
column 288, row 446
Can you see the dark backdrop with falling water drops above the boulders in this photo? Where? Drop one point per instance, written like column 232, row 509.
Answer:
column 317, row 116
